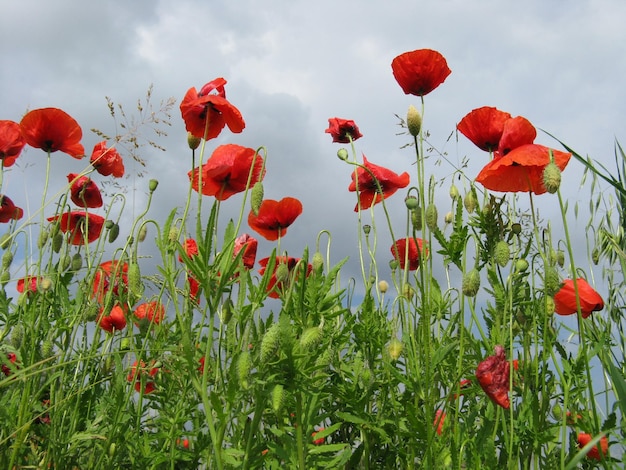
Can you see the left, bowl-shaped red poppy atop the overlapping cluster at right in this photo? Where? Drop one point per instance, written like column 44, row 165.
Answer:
column 484, row 127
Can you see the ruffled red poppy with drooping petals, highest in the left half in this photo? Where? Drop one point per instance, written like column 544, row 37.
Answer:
column 198, row 108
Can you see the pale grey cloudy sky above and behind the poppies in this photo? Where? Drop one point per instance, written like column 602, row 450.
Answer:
column 291, row 65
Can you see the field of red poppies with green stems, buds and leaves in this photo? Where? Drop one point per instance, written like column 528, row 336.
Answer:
column 489, row 340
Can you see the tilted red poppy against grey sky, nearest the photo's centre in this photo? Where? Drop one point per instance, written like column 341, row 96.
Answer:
column 275, row 217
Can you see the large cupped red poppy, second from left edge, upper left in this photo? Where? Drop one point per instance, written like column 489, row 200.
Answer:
column 52, row 129
